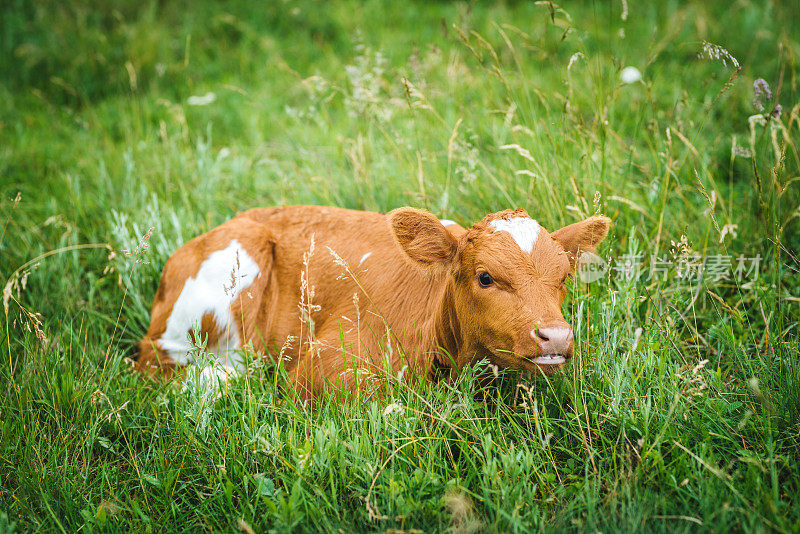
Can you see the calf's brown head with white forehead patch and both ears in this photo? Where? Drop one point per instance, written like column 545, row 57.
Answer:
column 507, row 276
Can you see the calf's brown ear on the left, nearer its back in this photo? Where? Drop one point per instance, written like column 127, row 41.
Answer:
column 422, row 237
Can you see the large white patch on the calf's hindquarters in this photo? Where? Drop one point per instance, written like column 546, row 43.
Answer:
column 220, row 279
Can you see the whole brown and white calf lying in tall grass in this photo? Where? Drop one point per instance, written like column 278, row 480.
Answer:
column 332, row 291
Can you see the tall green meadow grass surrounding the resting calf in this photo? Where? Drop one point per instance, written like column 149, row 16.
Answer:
column 681, row 410
